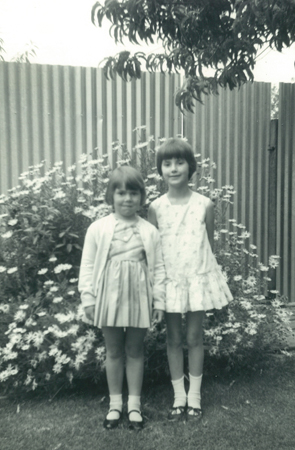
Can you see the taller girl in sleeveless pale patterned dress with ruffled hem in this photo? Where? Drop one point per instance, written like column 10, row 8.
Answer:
column 195, row 284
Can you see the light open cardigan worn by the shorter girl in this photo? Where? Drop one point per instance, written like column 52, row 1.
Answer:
column 95, row 253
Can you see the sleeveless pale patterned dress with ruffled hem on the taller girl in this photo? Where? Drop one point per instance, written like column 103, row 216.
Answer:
column 194, row 279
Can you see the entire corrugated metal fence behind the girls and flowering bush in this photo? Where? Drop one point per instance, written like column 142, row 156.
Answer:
column 57, row 113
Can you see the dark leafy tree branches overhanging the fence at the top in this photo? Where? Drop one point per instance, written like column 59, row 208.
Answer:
column 223, row 35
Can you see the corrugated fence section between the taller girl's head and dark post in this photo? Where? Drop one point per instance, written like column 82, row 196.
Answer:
column 232, row 129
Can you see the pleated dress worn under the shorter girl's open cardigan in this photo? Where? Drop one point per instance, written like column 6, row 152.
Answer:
column 124, row 297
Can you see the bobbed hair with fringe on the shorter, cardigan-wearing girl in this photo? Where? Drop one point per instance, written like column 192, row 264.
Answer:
column 125, row 177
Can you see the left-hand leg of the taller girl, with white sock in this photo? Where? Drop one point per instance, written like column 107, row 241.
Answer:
column 175, row 359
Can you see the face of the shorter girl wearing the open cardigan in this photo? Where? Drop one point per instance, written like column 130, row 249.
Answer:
column 126, row 202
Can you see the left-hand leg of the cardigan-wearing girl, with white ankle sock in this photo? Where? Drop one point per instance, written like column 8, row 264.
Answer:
column 114, row 341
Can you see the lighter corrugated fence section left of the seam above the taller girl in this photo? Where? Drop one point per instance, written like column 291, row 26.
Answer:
column 57, row 113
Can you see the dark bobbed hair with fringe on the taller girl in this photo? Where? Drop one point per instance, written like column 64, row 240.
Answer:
column 176, row 148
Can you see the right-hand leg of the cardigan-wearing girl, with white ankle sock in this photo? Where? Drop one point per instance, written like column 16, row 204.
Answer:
column 134, row 350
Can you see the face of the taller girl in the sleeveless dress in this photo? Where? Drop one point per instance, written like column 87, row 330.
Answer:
column 175, row 171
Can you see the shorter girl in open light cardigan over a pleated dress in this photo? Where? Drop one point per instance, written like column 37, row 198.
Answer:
column 122, row 285
